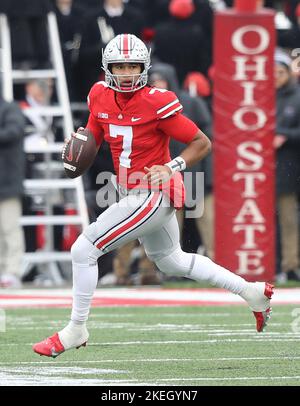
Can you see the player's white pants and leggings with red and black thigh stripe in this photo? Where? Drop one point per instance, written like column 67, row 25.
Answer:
column 148, row 217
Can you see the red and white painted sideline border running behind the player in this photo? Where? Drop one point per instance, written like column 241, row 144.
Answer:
column 137, row 297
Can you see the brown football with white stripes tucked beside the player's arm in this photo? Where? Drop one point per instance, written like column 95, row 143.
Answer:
column 79, row 153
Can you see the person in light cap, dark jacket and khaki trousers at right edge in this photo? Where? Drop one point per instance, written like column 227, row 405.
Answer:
column 287, row 144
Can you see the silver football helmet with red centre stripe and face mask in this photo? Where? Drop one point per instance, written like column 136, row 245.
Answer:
column 126, row 48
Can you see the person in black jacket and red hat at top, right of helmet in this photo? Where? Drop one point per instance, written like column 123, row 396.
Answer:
column 180, row 41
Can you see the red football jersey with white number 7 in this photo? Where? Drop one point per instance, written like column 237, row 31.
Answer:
column 138, row 128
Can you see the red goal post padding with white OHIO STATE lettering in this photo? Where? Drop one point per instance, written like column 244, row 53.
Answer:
column 243, row 155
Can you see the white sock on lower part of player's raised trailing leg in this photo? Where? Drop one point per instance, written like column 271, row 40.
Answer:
column 204, row 269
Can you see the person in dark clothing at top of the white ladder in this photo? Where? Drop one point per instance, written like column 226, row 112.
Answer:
column 29, row 36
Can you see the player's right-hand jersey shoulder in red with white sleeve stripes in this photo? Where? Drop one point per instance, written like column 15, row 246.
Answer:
column 165, row 102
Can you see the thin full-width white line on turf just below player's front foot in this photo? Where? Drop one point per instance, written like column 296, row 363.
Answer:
column 290, row 357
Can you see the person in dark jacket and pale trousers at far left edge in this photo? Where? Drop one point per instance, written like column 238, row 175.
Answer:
column 11, row 189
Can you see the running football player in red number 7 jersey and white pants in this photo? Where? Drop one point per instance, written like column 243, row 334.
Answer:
column 137, row 121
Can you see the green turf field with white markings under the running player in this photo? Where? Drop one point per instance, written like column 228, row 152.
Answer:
column 156, row 346
